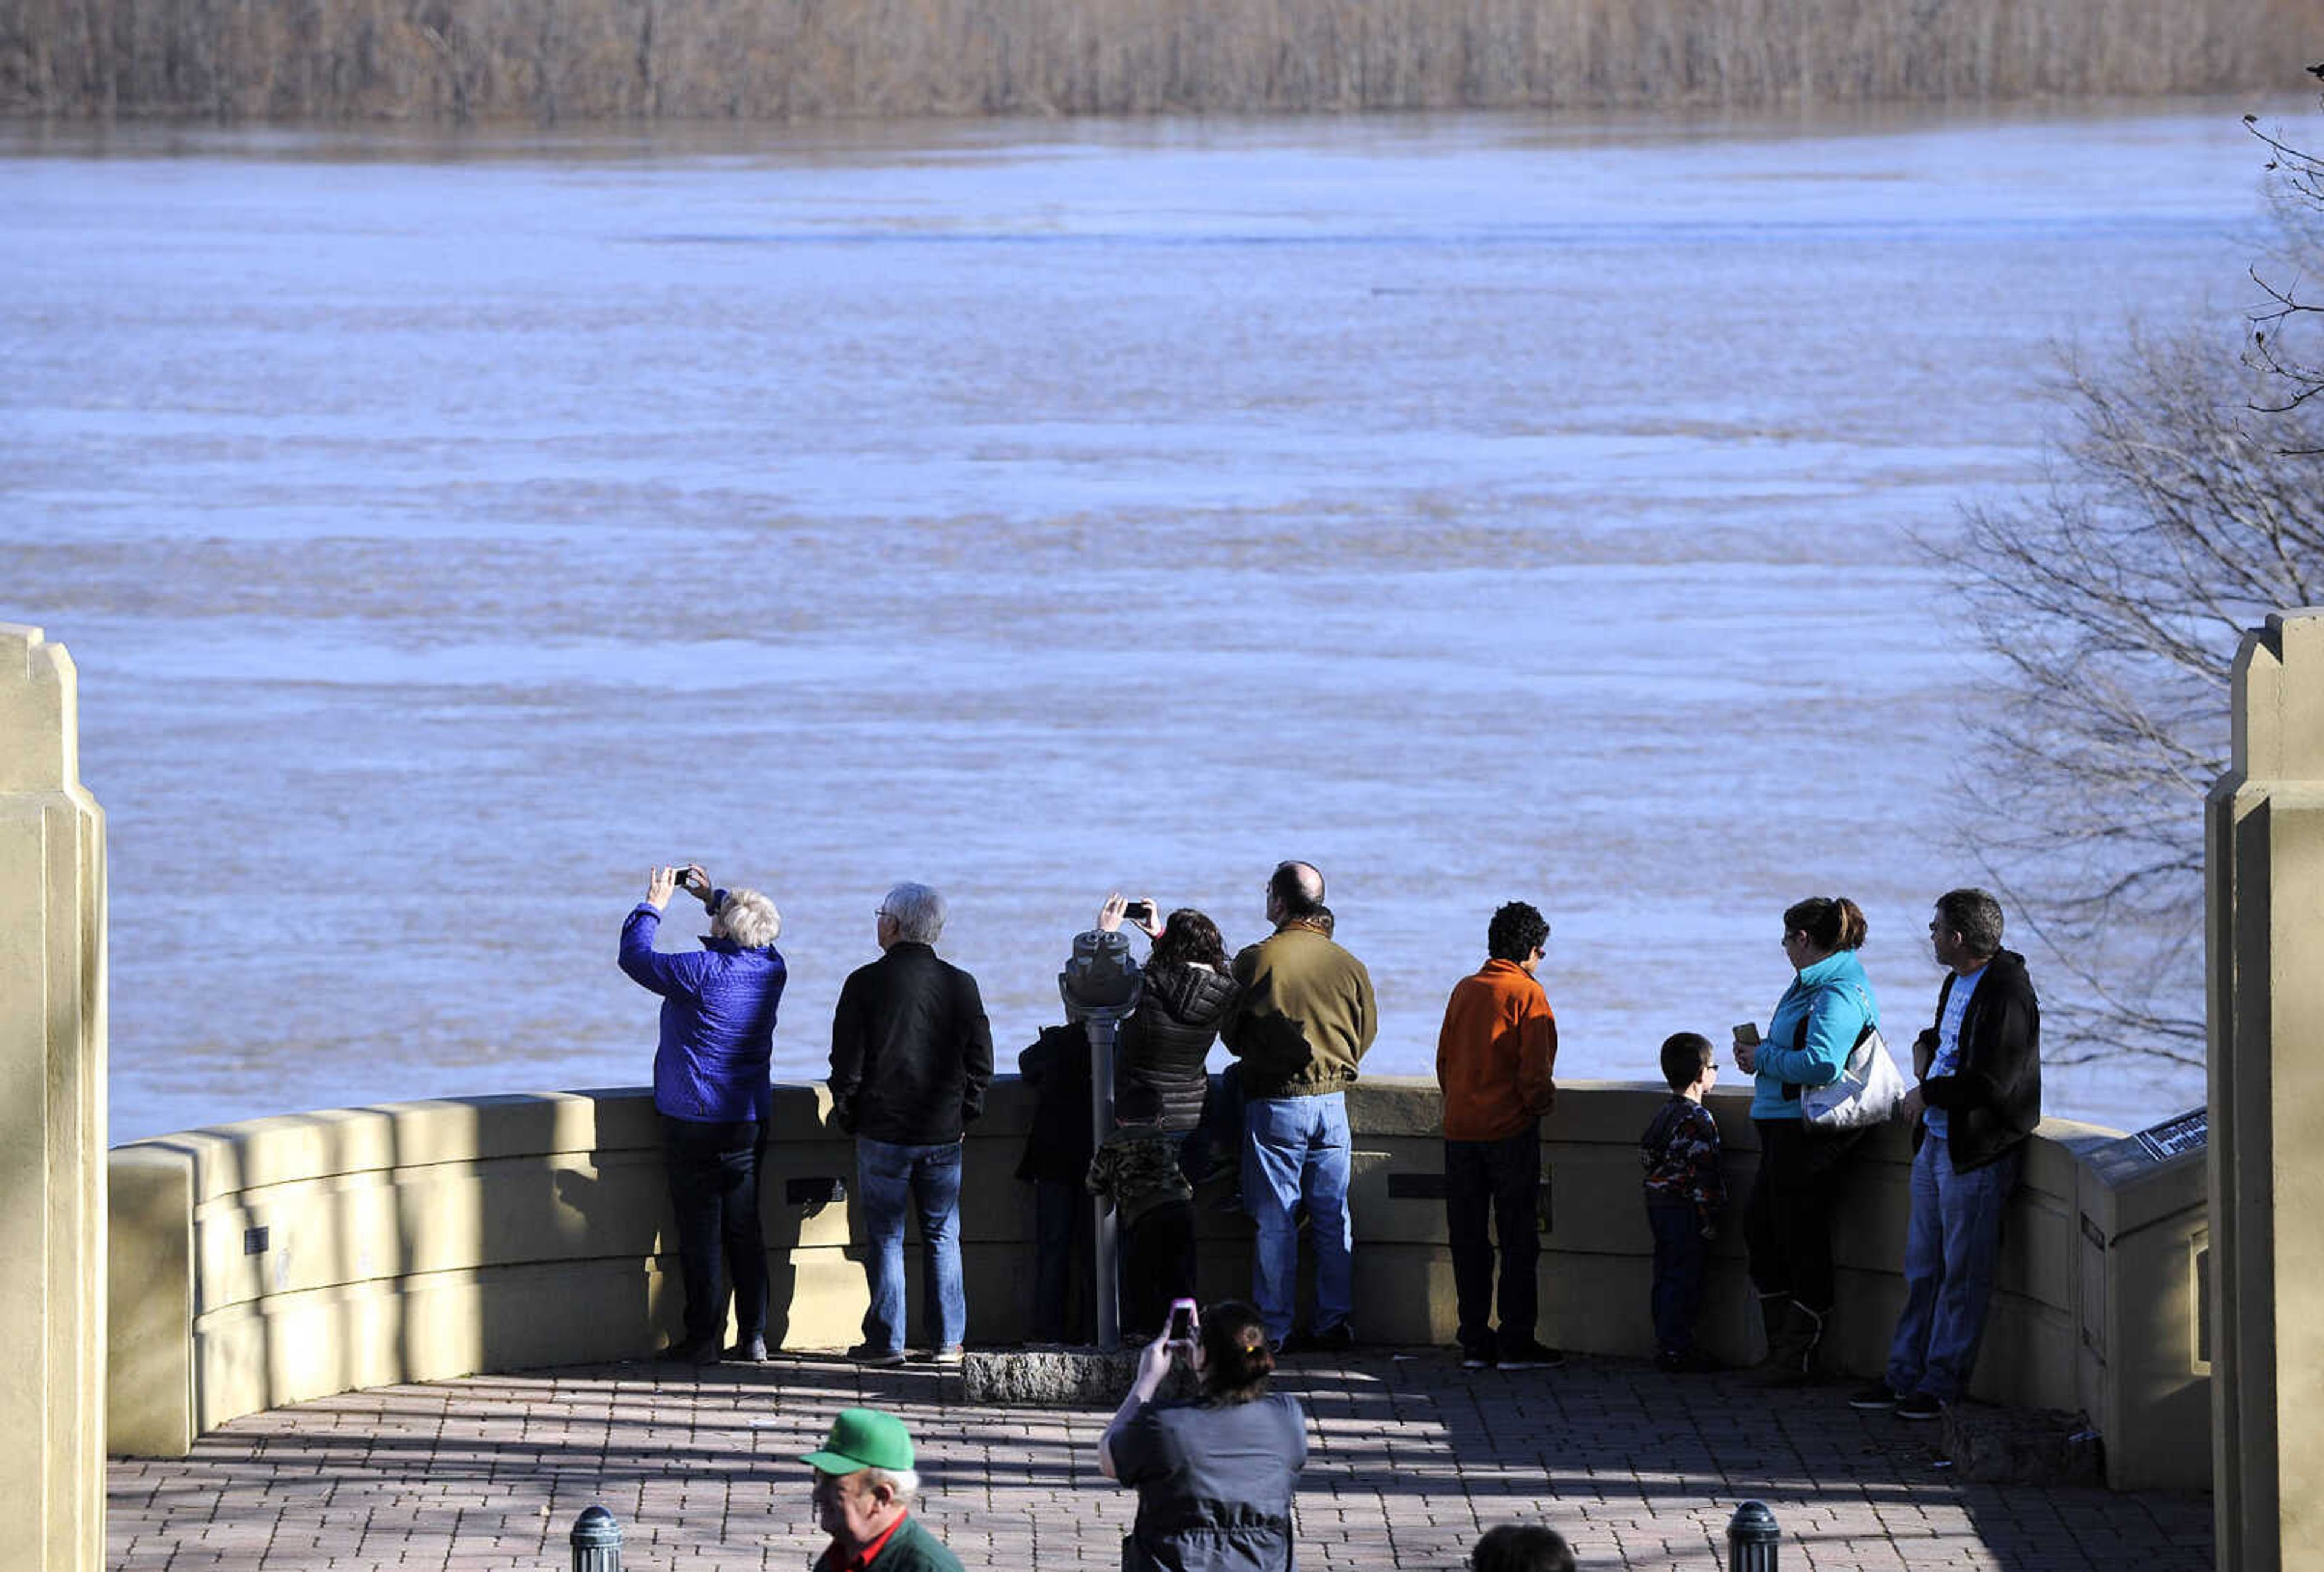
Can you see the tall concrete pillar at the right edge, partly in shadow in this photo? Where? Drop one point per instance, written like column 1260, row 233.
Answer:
column 2265, row 894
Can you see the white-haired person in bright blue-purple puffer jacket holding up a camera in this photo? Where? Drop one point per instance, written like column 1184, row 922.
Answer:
column 710, row 1085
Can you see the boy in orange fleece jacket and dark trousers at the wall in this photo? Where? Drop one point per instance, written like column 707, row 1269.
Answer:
column 1493, row 1062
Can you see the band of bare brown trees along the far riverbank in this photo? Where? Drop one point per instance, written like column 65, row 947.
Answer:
column 545, row 62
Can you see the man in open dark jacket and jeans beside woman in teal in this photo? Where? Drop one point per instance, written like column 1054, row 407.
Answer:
column 1979, row 1099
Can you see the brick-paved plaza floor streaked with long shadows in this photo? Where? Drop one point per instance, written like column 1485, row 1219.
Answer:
column 1412, row 1457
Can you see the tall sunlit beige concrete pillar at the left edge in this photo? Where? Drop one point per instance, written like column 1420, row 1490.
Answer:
column 52, row 1120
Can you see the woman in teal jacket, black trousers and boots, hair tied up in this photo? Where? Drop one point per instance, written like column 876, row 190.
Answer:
column 1788, row 1217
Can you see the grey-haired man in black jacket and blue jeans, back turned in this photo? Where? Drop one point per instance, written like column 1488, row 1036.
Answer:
column 912, row 1055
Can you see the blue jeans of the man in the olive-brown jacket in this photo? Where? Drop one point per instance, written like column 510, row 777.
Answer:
column 1298, row 1150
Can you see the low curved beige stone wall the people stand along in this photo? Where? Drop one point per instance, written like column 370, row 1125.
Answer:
column 308, row 1255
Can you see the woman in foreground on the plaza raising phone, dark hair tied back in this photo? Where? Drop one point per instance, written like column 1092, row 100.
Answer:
column 1214, row 1475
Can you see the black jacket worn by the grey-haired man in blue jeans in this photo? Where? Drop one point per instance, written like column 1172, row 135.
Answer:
column 912, row 1050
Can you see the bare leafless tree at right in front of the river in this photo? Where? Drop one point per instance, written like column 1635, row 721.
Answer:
column 2183, row 503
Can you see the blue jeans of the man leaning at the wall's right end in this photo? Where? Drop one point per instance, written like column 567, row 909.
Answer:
column 1949, row 1271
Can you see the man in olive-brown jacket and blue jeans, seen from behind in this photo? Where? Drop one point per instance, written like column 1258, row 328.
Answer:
column 1300, row 1029
